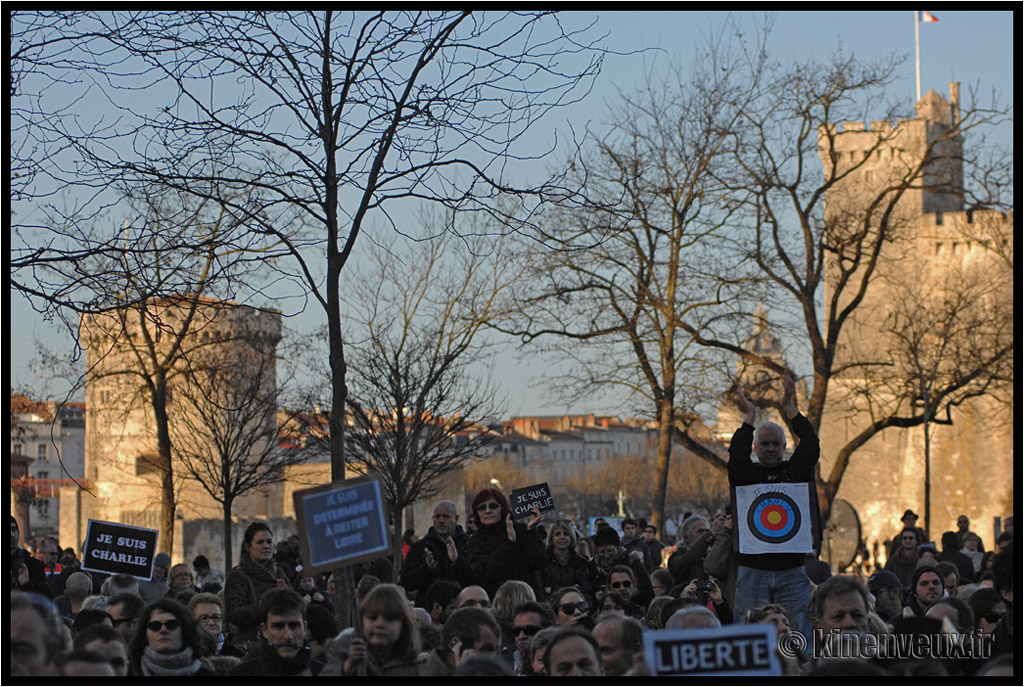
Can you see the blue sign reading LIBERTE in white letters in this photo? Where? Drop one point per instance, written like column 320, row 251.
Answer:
column 738, row 651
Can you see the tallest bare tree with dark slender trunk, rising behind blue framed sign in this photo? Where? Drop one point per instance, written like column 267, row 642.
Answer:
column 332, row 120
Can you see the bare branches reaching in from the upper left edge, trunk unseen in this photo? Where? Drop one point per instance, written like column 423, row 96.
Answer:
column 86, row 240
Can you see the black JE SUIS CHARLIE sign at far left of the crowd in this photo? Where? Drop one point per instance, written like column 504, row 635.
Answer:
column 117, row 549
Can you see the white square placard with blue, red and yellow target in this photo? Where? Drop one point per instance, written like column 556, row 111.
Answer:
column 775, row 519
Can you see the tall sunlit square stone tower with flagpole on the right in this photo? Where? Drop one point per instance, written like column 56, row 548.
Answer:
column 940, row 303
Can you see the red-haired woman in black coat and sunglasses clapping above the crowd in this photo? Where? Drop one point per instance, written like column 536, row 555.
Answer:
column 502, row 549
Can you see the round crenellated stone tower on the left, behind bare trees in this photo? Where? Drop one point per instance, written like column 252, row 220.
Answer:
column 121, row 438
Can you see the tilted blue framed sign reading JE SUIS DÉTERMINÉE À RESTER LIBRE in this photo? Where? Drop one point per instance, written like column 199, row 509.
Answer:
column 343, row 524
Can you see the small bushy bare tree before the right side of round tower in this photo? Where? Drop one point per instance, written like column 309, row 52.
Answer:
column 225, row 424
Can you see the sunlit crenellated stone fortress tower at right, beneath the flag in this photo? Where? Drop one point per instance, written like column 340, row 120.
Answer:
column 933, row 246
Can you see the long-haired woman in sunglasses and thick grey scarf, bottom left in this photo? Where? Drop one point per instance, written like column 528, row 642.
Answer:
column 167, row 642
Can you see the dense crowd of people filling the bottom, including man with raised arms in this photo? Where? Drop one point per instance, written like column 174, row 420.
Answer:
column 491, row 595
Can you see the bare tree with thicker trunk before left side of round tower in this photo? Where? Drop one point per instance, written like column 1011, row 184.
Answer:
column 141, row 345
